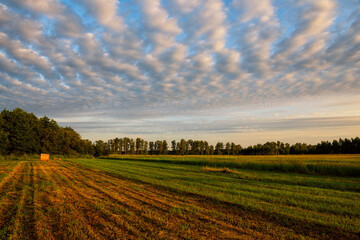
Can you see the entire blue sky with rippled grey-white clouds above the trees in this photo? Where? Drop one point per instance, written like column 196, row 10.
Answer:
column 244, row 71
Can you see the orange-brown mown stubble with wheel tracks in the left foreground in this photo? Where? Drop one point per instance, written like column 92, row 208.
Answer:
column 62, row 200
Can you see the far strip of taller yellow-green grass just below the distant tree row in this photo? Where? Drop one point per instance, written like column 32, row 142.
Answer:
column 335, row 165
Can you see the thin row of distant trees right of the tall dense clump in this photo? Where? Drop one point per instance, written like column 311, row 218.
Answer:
column 196, row 147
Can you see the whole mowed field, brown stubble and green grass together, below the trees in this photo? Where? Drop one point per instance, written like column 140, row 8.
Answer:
column 181, row 197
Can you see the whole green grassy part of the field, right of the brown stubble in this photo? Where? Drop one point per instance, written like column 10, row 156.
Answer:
column 323, row 190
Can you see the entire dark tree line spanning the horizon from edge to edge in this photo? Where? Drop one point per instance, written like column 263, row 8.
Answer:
column 24, row 133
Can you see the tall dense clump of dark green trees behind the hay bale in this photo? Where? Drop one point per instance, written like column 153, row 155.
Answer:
column 24, row 133
